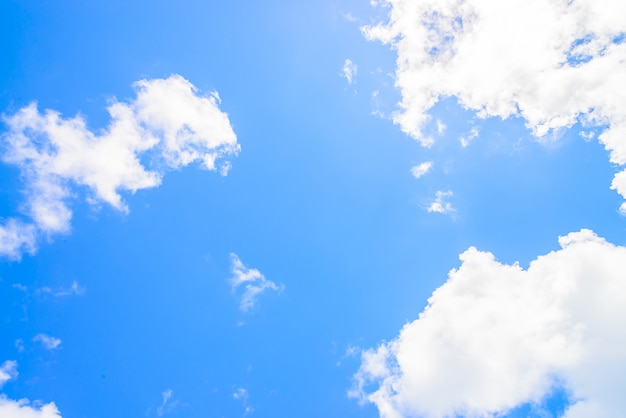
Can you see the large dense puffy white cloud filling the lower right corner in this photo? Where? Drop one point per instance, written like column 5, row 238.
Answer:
column 496, row 336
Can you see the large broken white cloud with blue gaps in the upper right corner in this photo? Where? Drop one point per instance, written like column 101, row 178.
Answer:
column 553, row 62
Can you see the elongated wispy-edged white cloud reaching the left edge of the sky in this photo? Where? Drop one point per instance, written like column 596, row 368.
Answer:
column 168, row 123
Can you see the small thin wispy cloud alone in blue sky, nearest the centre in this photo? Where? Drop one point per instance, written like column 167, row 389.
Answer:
column 253, row 282
